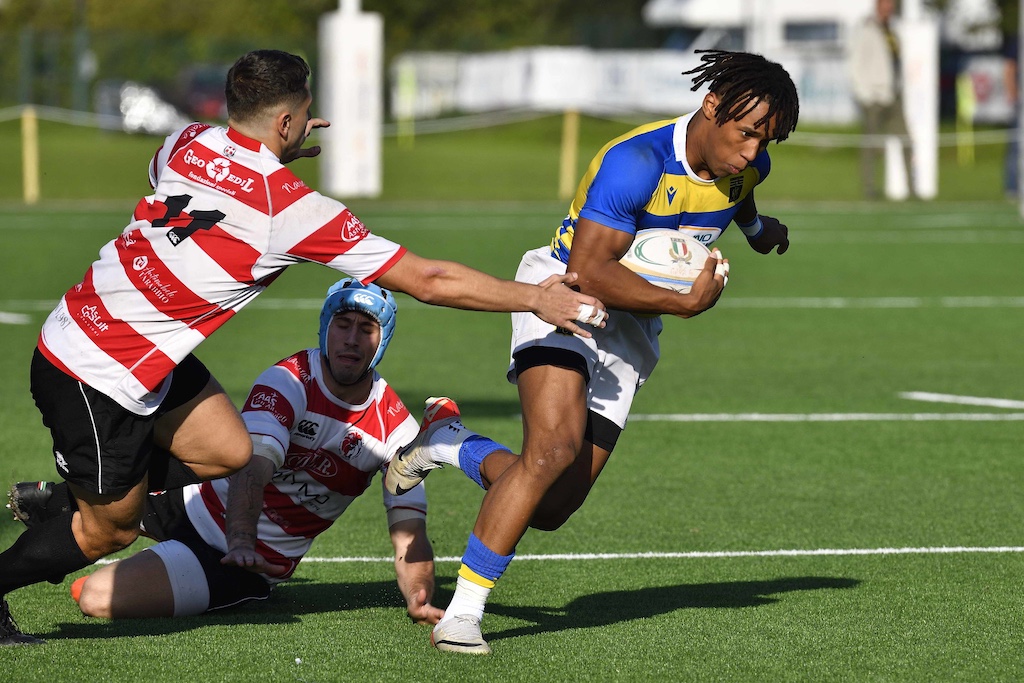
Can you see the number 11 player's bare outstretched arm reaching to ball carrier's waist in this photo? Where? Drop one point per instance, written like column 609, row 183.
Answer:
column 458, row 286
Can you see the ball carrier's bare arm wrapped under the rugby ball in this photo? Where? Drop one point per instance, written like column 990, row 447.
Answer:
column 596, row 250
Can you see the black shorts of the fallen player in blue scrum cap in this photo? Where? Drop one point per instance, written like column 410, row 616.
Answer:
column 166, row 520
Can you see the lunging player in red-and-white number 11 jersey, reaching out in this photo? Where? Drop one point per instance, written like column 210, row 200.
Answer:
column 225, row 221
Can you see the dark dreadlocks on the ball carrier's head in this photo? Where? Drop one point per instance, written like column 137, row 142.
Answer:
column 741, row 80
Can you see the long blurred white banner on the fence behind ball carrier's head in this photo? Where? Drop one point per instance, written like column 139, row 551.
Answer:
column 593, row 82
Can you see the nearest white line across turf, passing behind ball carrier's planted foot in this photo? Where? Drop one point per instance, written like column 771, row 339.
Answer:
column 943, row 550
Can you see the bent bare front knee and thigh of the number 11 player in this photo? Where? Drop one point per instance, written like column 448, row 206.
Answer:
column 207, row 435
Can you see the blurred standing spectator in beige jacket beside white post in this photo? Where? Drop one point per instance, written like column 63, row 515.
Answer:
column 875, row 72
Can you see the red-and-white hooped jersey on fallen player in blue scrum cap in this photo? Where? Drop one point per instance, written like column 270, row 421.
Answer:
column 326, row 453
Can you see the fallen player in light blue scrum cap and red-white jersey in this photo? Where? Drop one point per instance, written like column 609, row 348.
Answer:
column 323, row 422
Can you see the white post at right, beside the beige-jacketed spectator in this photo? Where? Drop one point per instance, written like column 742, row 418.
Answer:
column 920, row 58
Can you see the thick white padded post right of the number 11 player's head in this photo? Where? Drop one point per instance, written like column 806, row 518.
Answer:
column 351, row 97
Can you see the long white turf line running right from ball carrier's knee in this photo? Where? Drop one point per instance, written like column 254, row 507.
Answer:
column 830, row 417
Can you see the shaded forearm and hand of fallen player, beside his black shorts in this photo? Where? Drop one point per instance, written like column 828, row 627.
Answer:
column 245, row 501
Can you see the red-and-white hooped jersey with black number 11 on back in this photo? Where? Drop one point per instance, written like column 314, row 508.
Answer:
column 226, row 220
